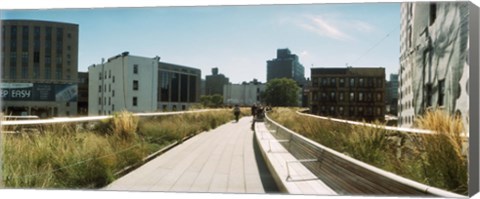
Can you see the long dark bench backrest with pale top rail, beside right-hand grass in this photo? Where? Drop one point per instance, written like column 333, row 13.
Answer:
column 346, row 175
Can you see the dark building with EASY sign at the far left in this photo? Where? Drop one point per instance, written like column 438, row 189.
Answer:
column 39, row 68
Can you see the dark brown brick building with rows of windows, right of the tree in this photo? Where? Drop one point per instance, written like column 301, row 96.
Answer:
column 349, row 93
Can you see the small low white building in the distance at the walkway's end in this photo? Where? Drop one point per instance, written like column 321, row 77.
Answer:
column 242, row 94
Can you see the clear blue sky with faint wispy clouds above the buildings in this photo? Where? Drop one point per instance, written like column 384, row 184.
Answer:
column 237, row 39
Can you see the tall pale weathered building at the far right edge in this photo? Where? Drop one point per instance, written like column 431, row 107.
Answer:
column 434, row 68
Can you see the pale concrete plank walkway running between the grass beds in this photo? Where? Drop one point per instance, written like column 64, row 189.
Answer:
column 223, row 160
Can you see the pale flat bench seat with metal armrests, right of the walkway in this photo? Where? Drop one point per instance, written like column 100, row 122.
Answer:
column 289, row 173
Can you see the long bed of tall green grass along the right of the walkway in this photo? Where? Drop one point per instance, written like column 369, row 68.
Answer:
column 436, row 160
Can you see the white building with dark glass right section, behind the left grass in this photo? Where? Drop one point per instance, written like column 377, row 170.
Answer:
column 139, row 84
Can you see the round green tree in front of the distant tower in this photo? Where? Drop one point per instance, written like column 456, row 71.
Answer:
column 281, row 92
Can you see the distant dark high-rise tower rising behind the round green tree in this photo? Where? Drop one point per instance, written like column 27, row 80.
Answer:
column 286, row 65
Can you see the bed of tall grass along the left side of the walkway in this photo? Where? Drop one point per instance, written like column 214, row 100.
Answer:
column 67, row 156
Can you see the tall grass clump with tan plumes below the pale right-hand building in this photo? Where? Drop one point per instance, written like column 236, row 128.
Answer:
column 444, row 163
